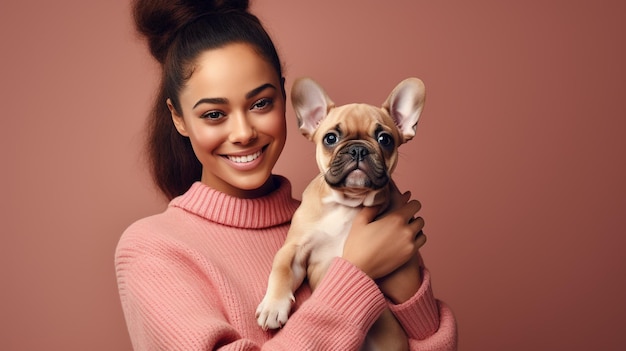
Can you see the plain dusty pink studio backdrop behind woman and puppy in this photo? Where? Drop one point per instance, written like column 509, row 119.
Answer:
column 519, row 159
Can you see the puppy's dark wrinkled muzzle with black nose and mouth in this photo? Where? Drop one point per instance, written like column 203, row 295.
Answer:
column 356, row 167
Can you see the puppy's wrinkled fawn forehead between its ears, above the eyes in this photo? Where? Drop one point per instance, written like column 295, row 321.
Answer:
column 357, row 121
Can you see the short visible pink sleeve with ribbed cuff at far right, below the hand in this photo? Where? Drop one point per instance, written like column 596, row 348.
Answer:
column 429, row 323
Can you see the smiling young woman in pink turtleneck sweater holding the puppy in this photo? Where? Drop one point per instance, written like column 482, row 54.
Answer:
column 191, row 277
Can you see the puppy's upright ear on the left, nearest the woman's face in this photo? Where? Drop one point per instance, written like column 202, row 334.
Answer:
column 311, row 104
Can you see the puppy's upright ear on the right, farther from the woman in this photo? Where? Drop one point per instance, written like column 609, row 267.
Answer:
column 405, row 104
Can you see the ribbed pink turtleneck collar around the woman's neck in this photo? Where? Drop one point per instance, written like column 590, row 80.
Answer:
column 274, row 209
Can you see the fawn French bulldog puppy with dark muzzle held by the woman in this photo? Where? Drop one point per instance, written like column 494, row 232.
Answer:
column 356, row 152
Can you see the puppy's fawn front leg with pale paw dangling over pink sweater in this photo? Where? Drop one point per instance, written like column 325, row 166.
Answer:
column 288, row 271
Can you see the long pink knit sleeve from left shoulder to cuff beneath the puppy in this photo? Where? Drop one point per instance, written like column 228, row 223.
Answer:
column 170, row 304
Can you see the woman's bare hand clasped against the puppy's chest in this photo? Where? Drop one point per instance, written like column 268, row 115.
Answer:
column 379, row 247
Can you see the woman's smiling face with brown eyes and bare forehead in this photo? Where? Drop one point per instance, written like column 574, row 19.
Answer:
column 233, row 111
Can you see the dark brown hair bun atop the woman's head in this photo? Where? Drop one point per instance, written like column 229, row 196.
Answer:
column 159, row 20
